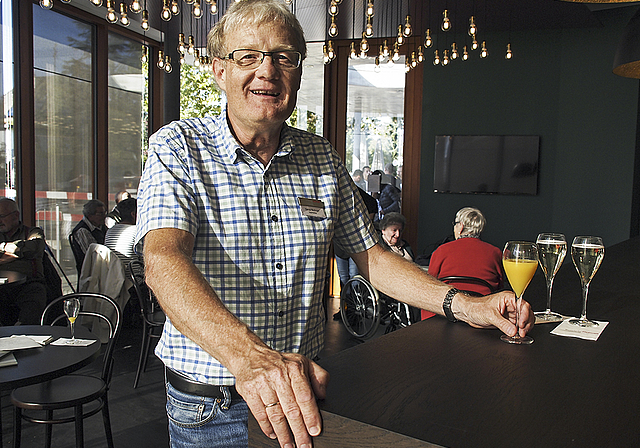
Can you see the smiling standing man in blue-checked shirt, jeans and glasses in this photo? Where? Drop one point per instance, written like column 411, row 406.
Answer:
column 238, row 213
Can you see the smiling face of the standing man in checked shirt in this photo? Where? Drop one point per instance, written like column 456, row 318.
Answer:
column 261, row 98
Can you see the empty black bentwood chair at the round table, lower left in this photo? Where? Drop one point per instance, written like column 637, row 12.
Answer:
column 71, row 392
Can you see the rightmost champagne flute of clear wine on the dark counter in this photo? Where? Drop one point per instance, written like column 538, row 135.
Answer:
column 587, row 253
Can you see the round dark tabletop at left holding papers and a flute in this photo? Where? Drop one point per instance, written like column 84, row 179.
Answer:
column 36, row 365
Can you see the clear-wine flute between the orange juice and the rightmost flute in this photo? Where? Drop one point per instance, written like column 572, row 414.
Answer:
column 552, row 248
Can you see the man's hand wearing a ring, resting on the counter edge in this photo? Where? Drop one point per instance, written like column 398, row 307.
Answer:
column 281, row 390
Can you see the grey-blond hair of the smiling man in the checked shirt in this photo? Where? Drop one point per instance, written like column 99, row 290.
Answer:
column 251, row 13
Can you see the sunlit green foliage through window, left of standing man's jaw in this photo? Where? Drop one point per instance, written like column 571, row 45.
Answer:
column 199, row 94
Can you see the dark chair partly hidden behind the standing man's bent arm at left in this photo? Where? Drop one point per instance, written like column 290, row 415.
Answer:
column 152, row 315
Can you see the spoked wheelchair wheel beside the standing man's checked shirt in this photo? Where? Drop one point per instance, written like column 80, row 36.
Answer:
column 360, row 307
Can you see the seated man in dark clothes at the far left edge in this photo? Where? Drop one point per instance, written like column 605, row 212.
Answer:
column 21, row 250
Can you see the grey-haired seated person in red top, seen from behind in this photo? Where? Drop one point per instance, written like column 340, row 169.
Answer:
column 468, row 255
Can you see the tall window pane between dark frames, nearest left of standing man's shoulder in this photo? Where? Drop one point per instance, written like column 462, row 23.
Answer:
column 127, row 115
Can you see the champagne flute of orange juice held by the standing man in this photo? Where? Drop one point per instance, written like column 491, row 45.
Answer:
column 520, row 261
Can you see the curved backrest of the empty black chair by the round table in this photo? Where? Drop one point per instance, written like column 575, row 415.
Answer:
column 103, row 308
